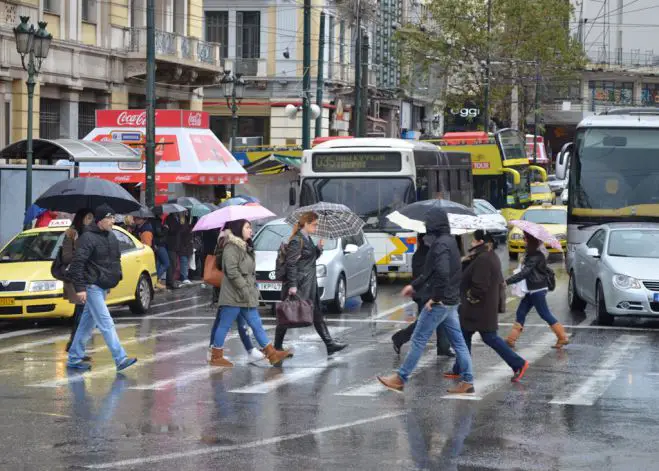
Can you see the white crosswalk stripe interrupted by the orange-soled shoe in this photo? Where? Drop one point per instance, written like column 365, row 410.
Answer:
column 497, row 375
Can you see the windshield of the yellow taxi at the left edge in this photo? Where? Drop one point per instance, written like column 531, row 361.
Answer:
column 32, row 247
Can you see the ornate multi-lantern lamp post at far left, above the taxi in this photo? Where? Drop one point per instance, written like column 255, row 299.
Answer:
column 35, row 45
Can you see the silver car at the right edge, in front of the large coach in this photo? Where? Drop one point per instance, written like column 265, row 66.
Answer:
column 617, row 271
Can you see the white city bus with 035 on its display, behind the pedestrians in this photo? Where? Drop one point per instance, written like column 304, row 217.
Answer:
column 376, row 176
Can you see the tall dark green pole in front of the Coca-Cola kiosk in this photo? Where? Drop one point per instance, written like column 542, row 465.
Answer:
column 150, row 149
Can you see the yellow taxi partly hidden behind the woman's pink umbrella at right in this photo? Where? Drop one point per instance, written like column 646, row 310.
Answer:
column 551, row 217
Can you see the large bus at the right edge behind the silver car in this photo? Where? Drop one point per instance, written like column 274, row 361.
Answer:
column 613, row 173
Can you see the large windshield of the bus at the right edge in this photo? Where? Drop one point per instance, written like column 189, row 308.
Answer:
column 615, row 170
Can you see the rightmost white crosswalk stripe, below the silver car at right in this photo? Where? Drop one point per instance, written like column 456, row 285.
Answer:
column 596, row 384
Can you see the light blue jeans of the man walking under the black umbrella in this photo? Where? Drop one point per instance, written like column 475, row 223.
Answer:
column 96, row 313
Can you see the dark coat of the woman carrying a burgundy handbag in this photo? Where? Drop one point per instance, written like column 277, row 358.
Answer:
column 301, row 256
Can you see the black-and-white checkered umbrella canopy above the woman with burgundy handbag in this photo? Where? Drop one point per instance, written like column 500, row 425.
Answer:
column 334, row 220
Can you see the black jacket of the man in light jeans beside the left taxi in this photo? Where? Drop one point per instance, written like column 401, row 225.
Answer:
column 96, row 261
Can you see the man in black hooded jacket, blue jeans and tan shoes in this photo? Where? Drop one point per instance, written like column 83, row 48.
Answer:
column 439, row 287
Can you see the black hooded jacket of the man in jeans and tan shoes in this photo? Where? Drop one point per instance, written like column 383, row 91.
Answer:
column 442, row 271
